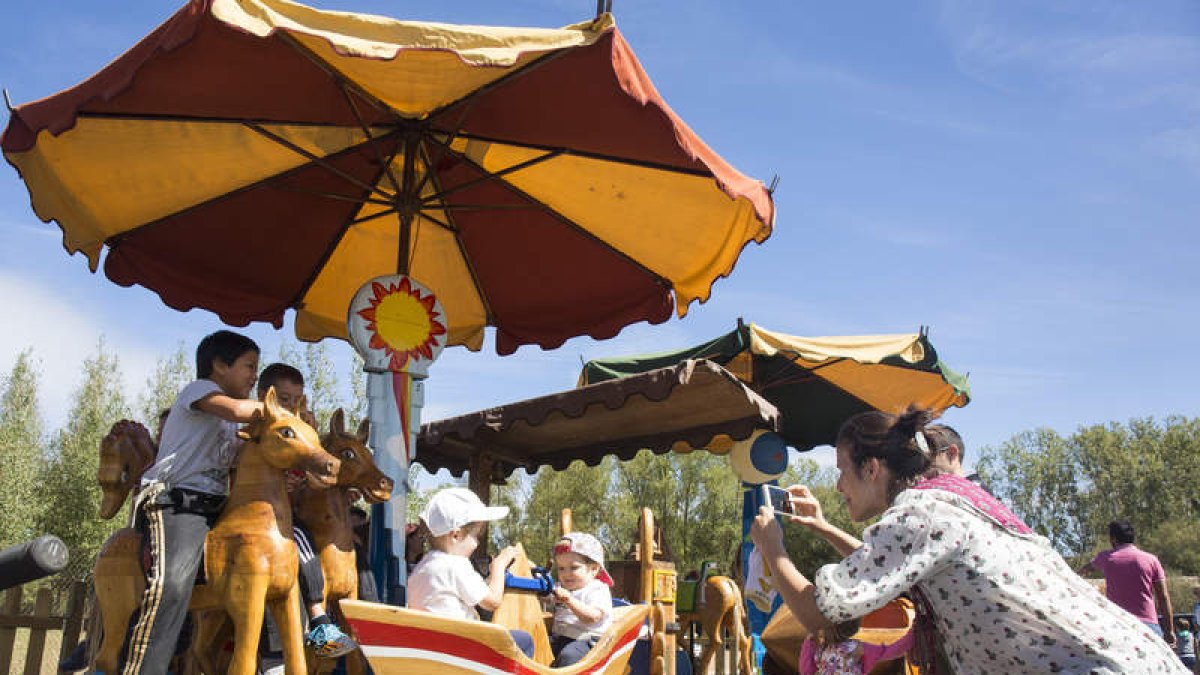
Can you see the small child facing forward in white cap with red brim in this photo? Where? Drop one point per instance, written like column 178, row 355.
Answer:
column 584, row 608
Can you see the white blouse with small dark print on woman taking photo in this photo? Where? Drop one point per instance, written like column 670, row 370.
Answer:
column 1004, row 602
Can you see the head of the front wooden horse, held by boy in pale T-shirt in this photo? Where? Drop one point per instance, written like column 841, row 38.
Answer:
column 285, row 441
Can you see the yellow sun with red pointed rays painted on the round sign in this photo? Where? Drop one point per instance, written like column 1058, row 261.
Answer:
column 404, row 321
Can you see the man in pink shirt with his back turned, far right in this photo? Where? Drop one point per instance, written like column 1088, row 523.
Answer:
column 1135, row 581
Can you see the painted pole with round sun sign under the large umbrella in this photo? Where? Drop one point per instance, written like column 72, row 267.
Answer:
column 399, row 328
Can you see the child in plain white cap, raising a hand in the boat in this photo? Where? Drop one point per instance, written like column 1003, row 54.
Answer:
column 445, row 582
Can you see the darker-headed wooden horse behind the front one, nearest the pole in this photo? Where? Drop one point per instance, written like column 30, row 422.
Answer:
column 326, row 515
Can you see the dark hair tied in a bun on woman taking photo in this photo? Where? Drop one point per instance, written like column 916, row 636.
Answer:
column 892, row 439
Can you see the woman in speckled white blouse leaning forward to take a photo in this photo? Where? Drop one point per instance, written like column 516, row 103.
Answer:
column 1001, row 599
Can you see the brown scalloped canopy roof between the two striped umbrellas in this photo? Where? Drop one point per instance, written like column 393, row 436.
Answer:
column 691, row 403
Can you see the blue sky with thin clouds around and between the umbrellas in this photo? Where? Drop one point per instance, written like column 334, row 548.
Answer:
column 1021, row 176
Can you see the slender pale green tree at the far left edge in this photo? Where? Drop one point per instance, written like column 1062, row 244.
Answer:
column 21, row 451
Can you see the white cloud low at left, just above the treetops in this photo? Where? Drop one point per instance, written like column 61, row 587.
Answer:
column 63, row 333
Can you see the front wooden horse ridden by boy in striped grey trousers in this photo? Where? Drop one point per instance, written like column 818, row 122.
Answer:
column 250, row 559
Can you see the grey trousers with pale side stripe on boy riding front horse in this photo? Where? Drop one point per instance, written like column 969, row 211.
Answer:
column 173, row 536
